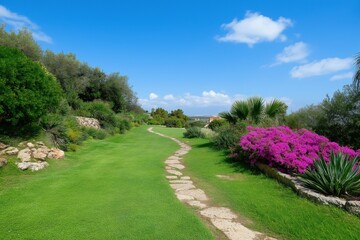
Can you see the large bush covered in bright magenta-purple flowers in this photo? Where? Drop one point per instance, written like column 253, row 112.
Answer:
column 287, row 150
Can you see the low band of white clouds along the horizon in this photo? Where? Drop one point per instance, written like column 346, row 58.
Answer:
column 211, row 100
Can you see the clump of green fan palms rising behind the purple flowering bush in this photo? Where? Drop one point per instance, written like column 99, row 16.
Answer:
column 254, row 110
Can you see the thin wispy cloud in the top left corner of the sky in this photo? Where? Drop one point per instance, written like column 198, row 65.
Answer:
column 18, row 22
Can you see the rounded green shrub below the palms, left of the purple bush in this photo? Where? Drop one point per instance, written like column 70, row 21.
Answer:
column 227, row 138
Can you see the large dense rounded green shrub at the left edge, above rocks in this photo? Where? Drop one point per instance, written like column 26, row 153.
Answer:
column 27, row 90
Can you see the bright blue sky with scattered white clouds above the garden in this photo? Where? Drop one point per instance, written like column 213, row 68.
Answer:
column 203, row 55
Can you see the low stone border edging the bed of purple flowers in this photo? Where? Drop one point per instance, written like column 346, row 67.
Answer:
column 293, row 182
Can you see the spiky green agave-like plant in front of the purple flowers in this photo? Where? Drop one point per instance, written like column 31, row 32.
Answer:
column 338, row 176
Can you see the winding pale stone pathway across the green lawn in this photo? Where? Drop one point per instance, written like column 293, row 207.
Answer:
column 185, row 190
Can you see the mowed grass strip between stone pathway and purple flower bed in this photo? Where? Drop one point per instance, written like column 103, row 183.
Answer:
column 264, row 204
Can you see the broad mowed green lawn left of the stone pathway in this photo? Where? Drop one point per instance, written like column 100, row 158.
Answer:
column 109, row 189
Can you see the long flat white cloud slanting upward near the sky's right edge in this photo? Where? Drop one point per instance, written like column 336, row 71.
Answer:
column 322, row 67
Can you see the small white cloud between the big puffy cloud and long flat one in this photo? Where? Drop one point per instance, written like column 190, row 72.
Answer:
column 294, row 53
